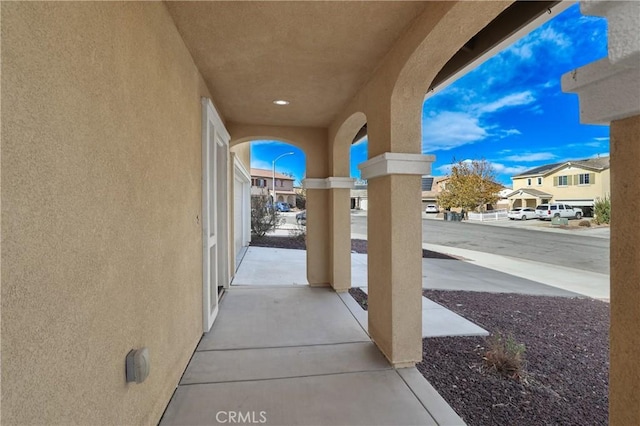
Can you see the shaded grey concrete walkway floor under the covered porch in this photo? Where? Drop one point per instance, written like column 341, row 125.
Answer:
column 297, row 356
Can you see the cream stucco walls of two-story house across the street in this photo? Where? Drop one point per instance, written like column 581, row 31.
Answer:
column 599, row 189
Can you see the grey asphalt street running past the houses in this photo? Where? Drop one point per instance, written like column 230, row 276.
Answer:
column 573, row 251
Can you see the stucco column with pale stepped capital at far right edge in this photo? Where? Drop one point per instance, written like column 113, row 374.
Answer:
column 609, row 92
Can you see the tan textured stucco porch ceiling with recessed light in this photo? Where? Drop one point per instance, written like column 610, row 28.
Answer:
column 314, row 54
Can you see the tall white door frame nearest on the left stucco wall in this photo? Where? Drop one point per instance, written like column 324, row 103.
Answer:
column 215, row 244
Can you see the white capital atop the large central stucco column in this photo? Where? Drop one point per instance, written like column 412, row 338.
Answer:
column 395, row 163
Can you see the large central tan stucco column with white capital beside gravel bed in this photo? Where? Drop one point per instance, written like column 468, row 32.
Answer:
column 395, row 254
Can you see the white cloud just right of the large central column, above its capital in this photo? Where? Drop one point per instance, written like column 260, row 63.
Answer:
column 448, row 130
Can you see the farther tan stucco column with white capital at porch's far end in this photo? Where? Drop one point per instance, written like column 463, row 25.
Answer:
column 336, row 191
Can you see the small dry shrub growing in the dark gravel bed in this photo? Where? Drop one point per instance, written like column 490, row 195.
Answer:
column 505, row 356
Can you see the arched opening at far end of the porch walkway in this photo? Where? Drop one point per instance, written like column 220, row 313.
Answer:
column 276, row 252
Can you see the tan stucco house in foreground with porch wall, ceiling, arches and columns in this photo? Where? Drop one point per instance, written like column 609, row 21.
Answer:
column 123, row 125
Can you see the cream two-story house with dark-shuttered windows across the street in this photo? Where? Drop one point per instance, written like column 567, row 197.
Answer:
column 578, row 183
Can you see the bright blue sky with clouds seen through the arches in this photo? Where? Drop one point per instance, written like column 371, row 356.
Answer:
column 510, row 110
